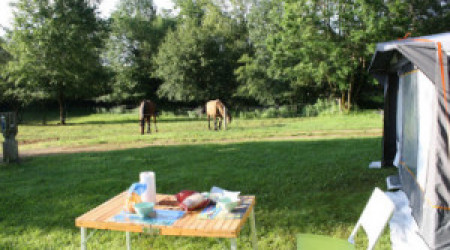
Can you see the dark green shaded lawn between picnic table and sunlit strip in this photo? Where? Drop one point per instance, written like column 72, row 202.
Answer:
column 307, row 186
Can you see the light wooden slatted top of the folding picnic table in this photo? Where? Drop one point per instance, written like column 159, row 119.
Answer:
column 189, row 225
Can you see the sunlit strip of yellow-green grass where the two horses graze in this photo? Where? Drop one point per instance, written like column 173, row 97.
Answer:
column 123, row 129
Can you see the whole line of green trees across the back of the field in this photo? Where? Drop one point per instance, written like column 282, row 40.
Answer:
column 268, row 52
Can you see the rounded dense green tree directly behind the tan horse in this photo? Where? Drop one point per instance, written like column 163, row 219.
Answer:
column 197, row 59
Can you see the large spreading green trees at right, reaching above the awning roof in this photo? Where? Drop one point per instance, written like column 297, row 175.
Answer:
column 323, row 48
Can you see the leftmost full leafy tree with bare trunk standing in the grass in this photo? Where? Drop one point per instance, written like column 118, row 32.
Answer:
column 55, row 49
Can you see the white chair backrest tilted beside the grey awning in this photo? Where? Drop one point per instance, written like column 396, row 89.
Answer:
column 373, row 219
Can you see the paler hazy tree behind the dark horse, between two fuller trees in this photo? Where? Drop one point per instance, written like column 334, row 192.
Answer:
column 136, row 32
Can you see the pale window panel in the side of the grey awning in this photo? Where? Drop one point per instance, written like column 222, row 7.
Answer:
column 415, row 116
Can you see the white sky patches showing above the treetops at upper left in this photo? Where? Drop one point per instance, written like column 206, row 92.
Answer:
column 106, row 7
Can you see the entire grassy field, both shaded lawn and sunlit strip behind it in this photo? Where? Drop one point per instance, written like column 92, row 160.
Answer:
column 313, row 184
